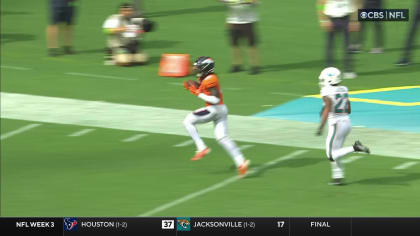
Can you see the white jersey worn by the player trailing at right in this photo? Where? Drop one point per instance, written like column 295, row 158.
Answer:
column 339, row 102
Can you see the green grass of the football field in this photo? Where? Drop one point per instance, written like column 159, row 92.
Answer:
column 46, row 172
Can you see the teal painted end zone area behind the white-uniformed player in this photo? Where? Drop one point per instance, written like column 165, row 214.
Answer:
column 370, row 115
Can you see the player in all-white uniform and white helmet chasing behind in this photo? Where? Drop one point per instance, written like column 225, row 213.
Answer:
column 336, row 110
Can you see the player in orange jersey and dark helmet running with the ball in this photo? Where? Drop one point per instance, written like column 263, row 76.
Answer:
column 208, row 89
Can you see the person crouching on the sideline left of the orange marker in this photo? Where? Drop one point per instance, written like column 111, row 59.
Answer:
column 124, row 32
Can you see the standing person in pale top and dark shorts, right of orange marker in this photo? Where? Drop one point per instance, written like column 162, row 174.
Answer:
column 241, row 21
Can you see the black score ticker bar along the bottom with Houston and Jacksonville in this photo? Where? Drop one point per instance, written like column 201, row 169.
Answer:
column 178, row 226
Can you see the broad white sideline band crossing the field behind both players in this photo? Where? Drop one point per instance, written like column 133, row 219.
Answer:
column 159, row 120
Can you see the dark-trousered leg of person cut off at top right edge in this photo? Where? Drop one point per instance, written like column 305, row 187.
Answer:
column 408, row 48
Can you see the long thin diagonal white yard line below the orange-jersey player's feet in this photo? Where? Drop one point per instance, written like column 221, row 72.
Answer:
column 220, row 184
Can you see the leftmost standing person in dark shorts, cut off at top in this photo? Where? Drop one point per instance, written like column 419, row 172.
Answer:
column 62, row 11
